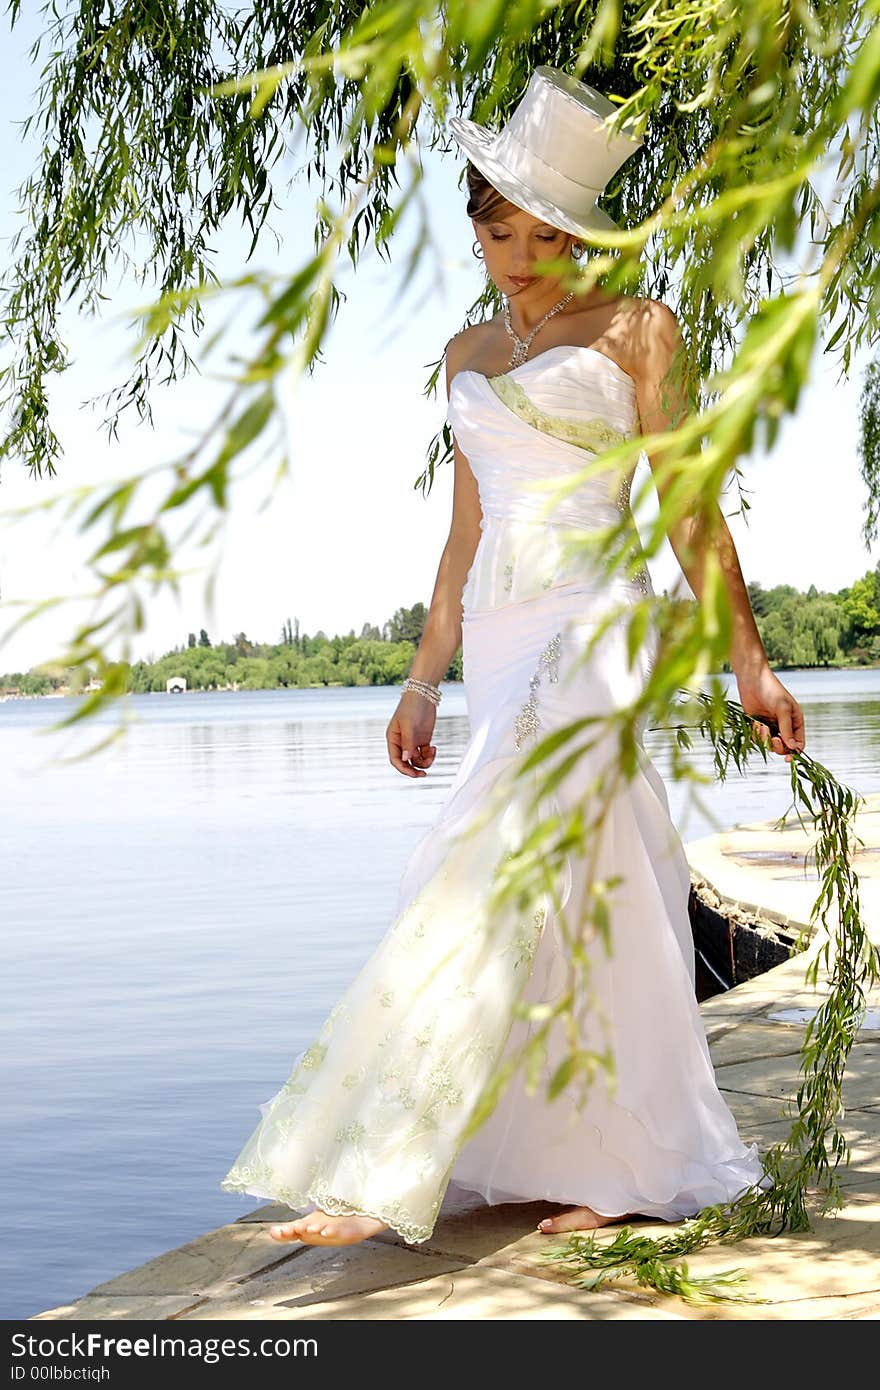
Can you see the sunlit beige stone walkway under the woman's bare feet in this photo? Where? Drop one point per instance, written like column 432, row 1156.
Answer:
column 486, row 1261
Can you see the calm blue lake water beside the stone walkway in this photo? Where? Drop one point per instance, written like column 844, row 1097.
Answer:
column 181, row 913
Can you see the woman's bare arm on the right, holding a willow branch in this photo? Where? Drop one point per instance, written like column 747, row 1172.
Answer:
column 662, row 404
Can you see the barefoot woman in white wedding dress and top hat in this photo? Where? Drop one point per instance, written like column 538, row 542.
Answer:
column 373, row 1122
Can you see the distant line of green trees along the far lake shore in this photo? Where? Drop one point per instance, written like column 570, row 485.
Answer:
column 807, row 630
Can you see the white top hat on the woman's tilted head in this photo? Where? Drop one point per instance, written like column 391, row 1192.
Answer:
column 554, row 156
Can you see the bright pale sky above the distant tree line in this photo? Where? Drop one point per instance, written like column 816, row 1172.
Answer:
column 344, row 539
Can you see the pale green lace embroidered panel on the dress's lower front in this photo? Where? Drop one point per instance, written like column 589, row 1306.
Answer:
column 419, row 1088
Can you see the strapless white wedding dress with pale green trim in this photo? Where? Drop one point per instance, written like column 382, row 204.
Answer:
column 373, row 1117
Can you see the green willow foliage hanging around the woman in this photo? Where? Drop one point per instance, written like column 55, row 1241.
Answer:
column 753, row 211
